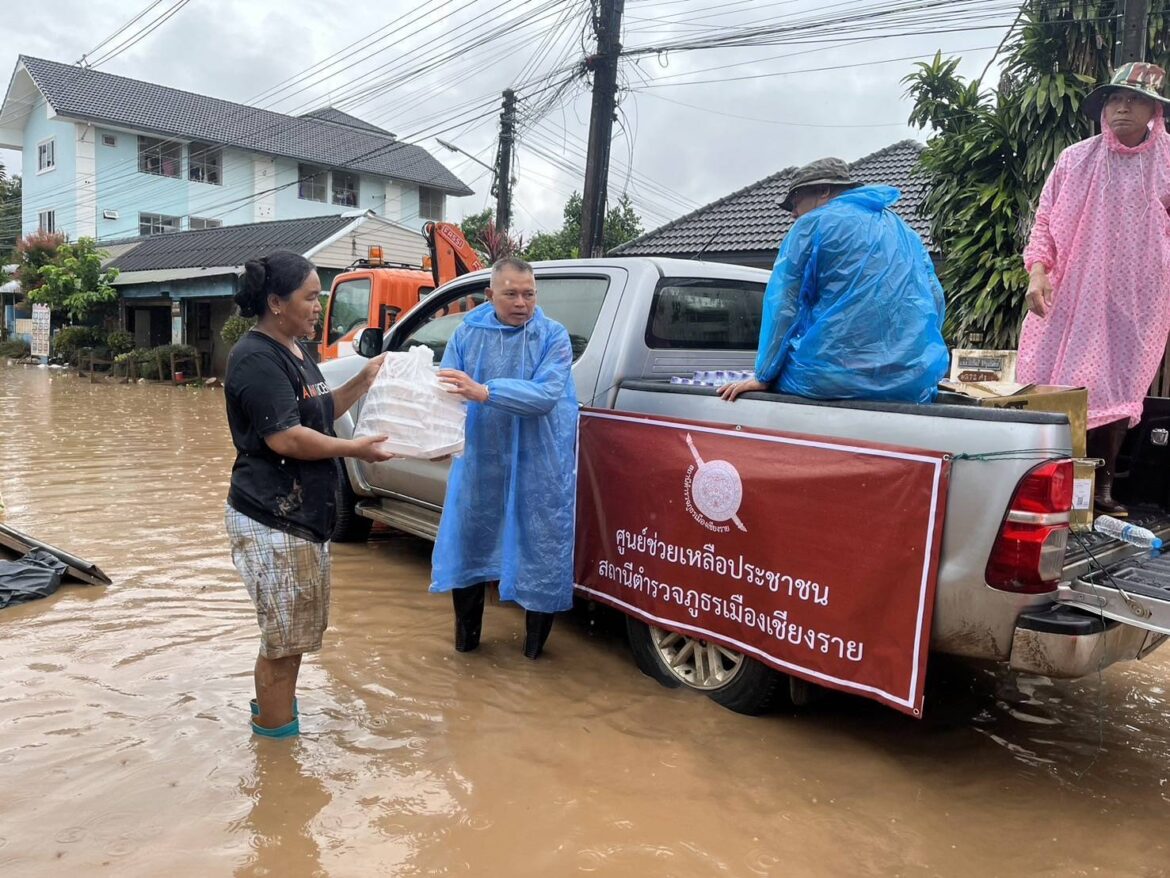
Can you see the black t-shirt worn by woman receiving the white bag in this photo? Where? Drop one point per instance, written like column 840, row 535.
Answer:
column 270, row 390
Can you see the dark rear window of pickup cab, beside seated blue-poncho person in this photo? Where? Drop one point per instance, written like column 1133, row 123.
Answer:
column 706, row 315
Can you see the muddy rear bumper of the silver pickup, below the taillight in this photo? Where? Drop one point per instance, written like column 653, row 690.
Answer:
column 1064, row 642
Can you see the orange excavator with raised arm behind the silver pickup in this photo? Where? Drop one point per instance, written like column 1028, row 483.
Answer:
column 375, row 294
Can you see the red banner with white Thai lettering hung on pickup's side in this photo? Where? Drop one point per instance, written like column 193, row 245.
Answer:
column 818, row 558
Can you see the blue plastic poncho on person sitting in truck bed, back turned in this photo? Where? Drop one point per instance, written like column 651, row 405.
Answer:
column 854, row 310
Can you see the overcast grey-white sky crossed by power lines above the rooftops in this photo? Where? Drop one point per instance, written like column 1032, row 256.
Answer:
column 694, row 125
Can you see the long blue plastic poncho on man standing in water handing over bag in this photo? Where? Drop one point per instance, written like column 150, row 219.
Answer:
column 511, row 498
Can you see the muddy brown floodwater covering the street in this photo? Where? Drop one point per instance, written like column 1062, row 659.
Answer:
column 126, row 746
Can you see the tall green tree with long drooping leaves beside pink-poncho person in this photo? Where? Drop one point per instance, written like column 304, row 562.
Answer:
column 992, row 152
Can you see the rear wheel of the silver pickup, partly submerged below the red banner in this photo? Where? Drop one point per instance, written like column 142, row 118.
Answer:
column 728, row 678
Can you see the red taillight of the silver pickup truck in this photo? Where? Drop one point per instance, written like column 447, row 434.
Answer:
column 1029, row 555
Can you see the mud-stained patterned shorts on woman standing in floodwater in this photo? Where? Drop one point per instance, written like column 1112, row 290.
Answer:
column 288, row 581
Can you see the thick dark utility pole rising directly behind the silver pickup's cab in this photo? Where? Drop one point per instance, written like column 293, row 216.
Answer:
column 604, row 65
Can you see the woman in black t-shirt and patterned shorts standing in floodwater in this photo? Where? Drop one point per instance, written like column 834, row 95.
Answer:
column 281, row 506
